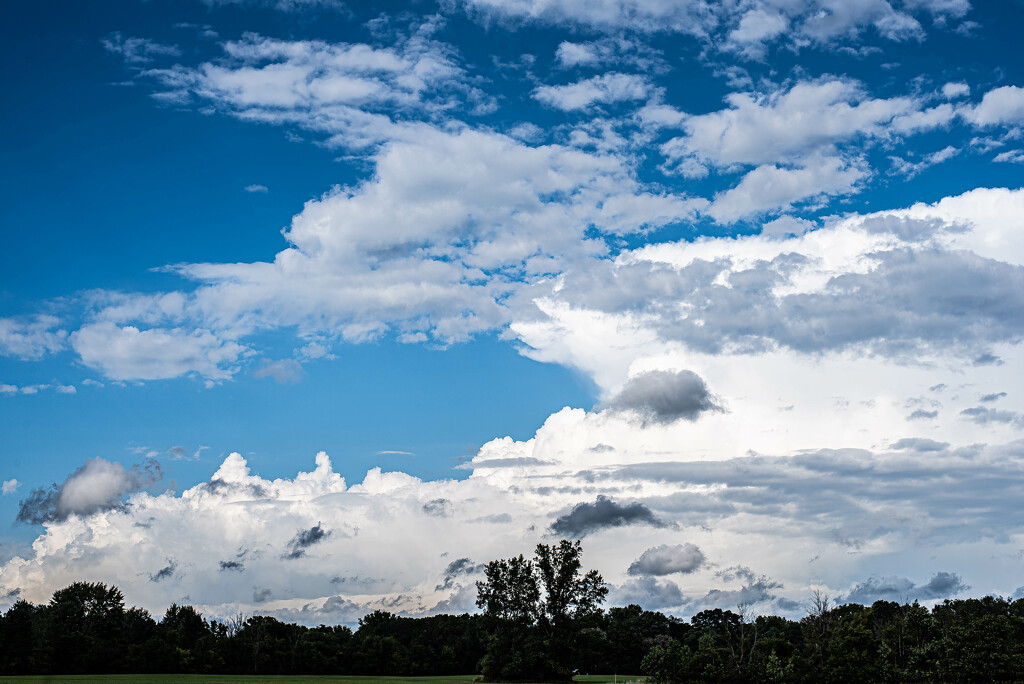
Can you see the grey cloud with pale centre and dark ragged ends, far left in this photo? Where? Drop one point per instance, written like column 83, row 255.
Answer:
column 97, row 486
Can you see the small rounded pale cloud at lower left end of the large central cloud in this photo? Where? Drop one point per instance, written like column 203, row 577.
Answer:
column 130, row 354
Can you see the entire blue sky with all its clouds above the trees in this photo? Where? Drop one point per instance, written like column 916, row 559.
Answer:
column 311, row 309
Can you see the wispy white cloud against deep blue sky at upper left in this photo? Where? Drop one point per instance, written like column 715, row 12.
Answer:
column 354, row 94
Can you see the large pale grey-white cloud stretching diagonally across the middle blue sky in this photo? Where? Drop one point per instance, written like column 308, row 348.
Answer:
column 431, row 248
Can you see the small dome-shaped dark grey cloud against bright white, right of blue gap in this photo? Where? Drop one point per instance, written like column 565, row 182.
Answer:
column 665, row 397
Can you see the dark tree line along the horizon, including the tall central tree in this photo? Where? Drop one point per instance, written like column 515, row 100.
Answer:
column 541, row 621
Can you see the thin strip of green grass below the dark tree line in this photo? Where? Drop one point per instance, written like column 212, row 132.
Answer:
column 225, row 679
